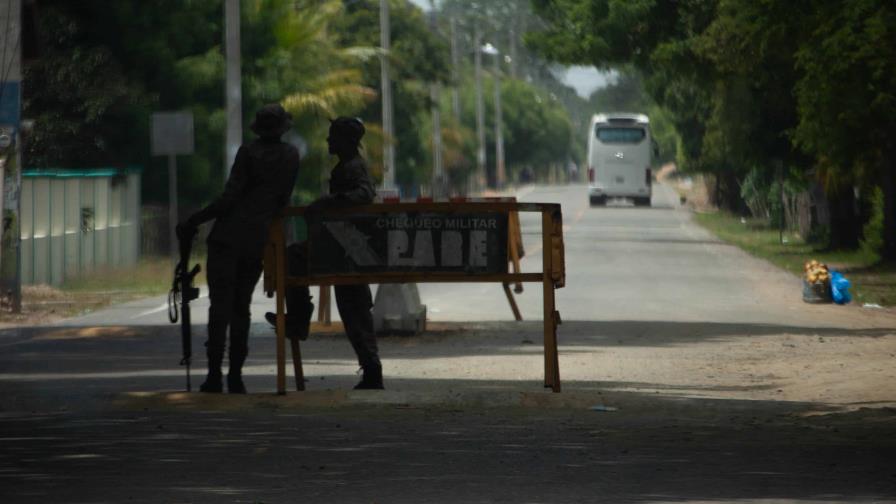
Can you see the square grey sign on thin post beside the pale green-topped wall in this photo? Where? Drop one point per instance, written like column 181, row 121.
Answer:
column 172, row 135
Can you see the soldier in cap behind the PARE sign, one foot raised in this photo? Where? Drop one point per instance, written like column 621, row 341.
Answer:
column 350, row 184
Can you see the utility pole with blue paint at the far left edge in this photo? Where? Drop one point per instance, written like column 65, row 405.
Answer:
column 11, row 148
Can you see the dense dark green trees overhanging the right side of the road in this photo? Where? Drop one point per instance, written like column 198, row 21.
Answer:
column 770, row 101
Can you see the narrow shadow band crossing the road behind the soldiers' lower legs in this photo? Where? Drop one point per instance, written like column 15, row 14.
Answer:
column 42, row 350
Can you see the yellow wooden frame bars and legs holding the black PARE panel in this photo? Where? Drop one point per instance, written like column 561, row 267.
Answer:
column 552, row 276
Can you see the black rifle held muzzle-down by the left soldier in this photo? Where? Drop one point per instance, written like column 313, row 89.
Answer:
column 182, row 292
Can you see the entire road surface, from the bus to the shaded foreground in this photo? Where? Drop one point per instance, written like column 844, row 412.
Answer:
column 692, row 373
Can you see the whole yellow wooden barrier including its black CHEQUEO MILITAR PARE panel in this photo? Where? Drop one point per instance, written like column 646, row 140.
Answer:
column 424, row 242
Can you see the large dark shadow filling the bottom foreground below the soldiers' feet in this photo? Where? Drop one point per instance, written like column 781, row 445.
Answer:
column 648, row 450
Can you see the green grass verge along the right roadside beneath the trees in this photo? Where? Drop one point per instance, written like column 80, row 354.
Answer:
column 872, row 281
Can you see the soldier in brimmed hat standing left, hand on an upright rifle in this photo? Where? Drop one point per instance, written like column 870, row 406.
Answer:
column 258, row 189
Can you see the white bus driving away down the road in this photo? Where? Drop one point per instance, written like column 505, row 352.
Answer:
column 619, row 158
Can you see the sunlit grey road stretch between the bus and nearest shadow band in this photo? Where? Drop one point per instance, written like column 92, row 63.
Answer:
column 623, row 263
